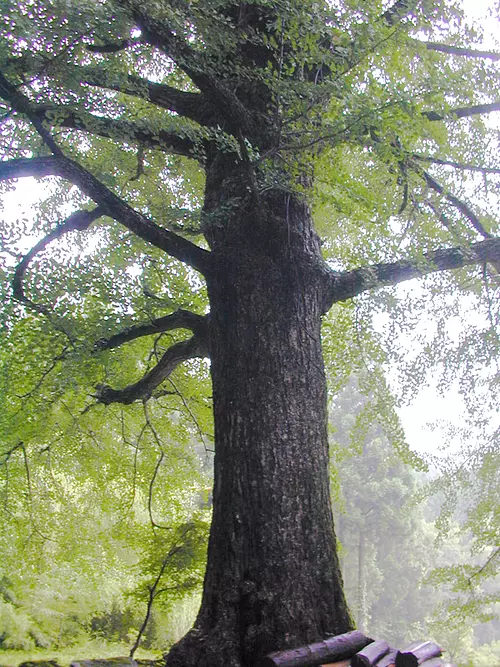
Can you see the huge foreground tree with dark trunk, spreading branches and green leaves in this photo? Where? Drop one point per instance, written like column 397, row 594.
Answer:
column 192, row 147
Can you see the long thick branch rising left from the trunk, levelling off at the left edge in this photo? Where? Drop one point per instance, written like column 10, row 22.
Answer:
column 110, row 205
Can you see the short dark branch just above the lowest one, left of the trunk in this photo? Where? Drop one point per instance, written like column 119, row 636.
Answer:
column 181, row 319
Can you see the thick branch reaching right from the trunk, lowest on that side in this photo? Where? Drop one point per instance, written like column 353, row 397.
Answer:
column 346, row 285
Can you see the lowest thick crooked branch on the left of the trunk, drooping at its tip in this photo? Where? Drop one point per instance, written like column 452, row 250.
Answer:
column 142, row 390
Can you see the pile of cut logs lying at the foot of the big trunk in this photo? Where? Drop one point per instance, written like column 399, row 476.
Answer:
column 354, row 649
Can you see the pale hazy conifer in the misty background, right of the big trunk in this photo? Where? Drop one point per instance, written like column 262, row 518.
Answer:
column 380, row 518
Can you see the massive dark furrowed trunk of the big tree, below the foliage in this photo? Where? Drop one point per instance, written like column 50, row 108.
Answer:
column 273, row 578
